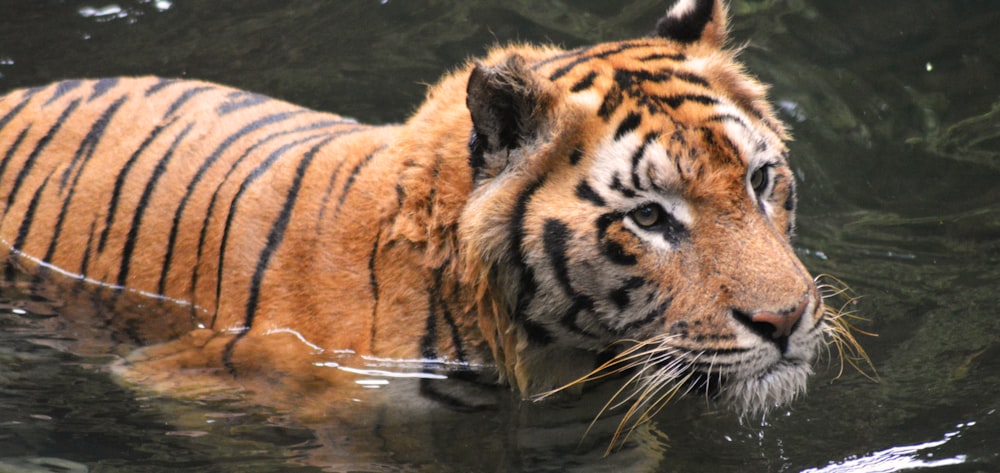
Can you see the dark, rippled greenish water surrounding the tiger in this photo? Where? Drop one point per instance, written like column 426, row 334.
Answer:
column 894, row 108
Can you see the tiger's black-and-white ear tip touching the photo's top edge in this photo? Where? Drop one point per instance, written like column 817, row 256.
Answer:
column 692, row 21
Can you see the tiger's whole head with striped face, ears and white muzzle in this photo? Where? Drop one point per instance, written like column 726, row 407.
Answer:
column 634, row 199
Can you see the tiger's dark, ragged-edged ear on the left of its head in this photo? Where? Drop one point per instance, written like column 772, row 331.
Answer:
column 508, row 104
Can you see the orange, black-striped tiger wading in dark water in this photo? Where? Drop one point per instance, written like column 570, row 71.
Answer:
column 548, row 216
